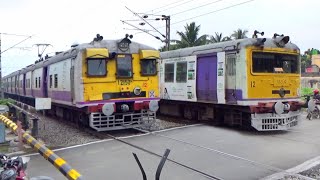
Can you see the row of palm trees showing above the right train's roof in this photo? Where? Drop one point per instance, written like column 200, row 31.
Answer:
column 190, row 37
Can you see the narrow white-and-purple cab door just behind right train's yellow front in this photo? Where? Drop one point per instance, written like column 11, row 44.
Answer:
column 231, row 91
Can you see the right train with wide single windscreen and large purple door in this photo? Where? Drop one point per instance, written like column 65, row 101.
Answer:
column 253, row 82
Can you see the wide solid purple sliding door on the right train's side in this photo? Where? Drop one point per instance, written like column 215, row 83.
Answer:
column 207, row 78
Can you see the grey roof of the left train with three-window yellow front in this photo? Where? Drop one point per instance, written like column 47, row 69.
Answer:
column 111, row 45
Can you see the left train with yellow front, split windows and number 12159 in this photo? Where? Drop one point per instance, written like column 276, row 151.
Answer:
column 105, row 84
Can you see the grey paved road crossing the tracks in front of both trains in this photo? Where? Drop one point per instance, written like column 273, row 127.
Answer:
column 113, row 159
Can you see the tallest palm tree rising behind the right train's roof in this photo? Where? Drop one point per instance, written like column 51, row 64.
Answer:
column 190, row 38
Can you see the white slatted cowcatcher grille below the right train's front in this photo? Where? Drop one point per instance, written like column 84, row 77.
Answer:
column 272, row 121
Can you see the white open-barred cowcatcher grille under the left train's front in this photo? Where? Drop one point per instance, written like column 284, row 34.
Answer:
column 101, row 122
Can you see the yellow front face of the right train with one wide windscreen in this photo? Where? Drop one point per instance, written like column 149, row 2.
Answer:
column 274, row 84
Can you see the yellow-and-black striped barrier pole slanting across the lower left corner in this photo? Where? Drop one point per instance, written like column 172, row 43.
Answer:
column 49, row 155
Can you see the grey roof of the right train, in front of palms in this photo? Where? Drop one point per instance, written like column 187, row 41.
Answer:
column 224, row 46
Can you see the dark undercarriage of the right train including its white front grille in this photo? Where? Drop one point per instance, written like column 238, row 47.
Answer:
column 231, row 115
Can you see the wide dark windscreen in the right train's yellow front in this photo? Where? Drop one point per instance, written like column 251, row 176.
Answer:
column 274, row 62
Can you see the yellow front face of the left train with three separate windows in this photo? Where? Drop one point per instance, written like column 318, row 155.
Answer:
column 120, row 86
